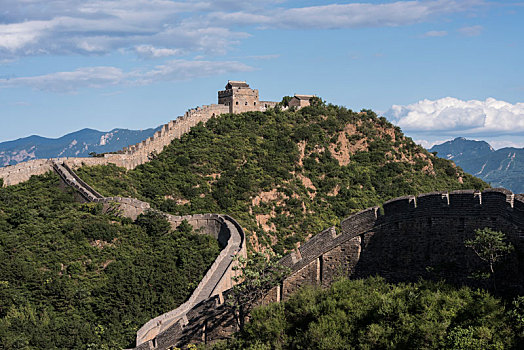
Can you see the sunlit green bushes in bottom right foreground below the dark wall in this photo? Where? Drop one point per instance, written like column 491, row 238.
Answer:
column 372, row 314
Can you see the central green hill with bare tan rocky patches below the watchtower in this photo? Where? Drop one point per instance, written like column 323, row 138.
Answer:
column 284, row 174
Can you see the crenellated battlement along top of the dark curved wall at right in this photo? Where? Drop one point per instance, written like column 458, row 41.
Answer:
column 491, row 202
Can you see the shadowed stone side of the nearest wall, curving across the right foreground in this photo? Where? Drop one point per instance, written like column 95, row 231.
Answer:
column 410, row 237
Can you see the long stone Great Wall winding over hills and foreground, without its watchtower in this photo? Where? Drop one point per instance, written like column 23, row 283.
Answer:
column 406, row 239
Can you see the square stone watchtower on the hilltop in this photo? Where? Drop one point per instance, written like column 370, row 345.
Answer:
column 239, row 97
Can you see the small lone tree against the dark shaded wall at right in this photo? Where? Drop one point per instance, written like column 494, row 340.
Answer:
column 490, row 246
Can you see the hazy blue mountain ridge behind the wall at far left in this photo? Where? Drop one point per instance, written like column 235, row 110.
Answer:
column 76, row 144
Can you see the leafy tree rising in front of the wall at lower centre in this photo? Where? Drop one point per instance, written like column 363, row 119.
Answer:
column 255, row 278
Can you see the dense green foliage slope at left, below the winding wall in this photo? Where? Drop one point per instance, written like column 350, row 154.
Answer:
column 74, row 277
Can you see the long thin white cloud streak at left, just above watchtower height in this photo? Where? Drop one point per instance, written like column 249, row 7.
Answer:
column 99, row 77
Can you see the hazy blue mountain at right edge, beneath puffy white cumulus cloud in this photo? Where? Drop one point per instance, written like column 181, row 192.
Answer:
column 501, row 168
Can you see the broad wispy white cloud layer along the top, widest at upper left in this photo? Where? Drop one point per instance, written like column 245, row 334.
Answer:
column 161, row 28
